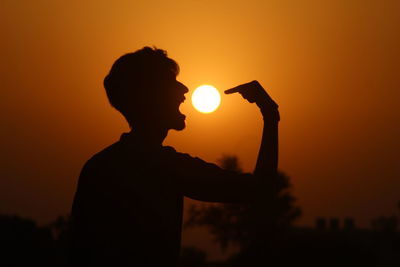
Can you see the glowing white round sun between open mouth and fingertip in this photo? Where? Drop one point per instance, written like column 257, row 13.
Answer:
column 206, row 98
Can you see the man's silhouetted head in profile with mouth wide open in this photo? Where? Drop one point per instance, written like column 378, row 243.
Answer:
column 143, row 87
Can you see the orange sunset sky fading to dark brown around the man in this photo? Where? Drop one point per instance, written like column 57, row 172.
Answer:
column 332, row 66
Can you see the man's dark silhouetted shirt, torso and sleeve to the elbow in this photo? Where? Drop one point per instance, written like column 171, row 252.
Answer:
column 127, row 209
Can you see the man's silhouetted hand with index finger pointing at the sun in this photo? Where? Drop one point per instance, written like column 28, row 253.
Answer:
column 255, row 93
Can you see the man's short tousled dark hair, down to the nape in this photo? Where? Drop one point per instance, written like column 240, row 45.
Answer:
column 136, row 76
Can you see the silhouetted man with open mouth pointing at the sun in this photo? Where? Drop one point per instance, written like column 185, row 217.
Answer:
column 127, row 209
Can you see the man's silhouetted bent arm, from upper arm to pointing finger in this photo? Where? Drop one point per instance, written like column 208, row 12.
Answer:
column 208, row 182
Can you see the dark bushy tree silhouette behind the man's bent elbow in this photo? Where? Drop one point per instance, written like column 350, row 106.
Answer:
column 256, row 225
